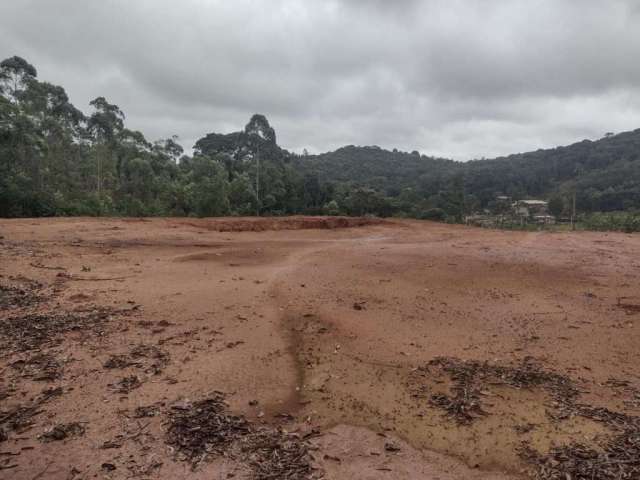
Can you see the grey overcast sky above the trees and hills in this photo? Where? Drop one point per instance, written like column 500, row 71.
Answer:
column 454, row 78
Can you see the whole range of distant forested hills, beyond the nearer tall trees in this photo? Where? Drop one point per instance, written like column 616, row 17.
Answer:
column 605, row 174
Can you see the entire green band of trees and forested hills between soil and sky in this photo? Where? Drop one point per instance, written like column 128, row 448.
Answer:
column 57, row 160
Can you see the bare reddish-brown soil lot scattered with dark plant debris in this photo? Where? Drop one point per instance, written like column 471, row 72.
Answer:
column 316, row 348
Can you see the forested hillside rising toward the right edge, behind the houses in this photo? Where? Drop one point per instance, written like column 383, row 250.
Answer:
column 605, row 174
